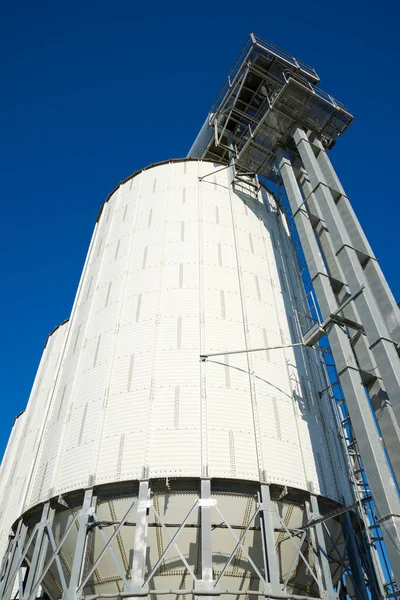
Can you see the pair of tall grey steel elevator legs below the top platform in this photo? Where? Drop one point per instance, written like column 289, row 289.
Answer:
column 344, row 249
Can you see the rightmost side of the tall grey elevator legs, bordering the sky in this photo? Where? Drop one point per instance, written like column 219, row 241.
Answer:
column 372, row 271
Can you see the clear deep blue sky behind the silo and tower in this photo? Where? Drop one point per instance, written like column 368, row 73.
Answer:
column 92, row 91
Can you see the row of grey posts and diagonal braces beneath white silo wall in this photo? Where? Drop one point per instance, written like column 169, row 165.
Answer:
column 204, row 587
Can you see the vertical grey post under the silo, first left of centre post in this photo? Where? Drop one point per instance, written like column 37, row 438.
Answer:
column 138, row 569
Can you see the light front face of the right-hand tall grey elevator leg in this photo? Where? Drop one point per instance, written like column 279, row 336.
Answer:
column 379, row 339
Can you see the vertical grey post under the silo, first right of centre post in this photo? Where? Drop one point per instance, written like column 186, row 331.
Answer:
column 268, row 540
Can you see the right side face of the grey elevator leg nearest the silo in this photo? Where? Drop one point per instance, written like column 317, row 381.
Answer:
column 372, row 380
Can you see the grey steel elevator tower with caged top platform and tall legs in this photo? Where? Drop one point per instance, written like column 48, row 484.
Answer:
column 272, row 119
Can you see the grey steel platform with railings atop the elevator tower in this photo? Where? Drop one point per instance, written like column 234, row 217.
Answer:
column 265, row 94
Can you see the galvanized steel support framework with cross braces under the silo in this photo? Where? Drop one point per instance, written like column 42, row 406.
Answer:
column 31, row 574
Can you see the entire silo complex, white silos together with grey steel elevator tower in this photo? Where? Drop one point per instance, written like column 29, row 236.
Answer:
column 182, row 437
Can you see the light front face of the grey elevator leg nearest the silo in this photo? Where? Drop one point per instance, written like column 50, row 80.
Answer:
column 376, row 467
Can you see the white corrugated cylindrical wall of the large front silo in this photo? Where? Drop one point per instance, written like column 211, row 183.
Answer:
column 178, row 267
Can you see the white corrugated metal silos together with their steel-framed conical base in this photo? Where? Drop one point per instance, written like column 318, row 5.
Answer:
column 192, row 474
